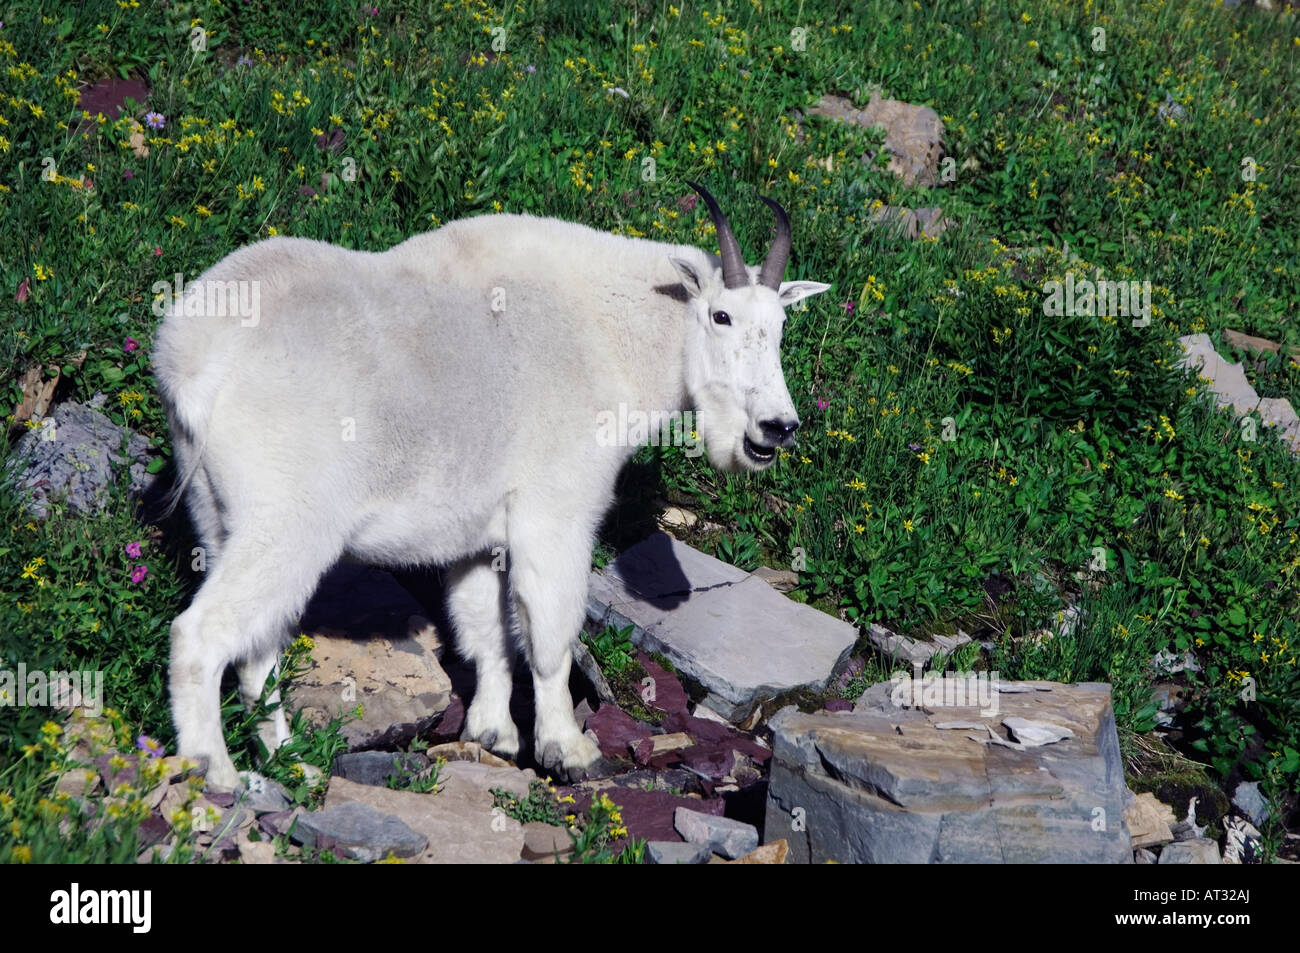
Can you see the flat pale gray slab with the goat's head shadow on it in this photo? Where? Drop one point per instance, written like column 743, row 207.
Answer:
column 721, row 627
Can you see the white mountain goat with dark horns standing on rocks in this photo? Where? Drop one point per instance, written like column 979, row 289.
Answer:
column 437, row 401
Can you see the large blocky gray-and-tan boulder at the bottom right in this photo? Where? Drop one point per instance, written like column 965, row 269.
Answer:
column 887, row 785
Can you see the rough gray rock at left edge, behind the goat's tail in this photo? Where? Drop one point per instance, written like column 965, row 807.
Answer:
column 75, row 460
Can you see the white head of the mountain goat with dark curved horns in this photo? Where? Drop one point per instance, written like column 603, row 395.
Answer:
column 734, row 346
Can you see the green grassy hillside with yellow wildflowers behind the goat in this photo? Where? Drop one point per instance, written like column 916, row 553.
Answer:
column 955, row 436
